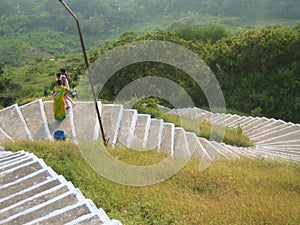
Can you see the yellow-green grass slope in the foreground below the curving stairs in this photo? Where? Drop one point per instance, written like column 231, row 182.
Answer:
column 228, row 192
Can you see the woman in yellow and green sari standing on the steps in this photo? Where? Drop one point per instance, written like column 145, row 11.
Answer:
column 59, row 109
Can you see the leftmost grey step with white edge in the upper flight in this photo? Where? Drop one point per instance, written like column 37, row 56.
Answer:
column 13, row 123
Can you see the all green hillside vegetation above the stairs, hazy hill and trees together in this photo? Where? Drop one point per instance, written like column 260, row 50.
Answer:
column 256, row 65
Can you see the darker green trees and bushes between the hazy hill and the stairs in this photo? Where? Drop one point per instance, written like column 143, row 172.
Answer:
column 258, row 70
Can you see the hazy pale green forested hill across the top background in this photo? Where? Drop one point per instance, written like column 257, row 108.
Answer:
column 44, row 27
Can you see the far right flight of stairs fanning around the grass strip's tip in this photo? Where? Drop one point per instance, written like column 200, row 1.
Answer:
column 273, row 139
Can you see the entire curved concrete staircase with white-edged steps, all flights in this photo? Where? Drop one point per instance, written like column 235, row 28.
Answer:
column 32, row 193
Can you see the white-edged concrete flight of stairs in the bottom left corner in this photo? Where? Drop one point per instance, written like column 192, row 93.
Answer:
column 32, row 193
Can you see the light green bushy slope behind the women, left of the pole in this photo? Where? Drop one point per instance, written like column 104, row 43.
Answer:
column 36, row 76
